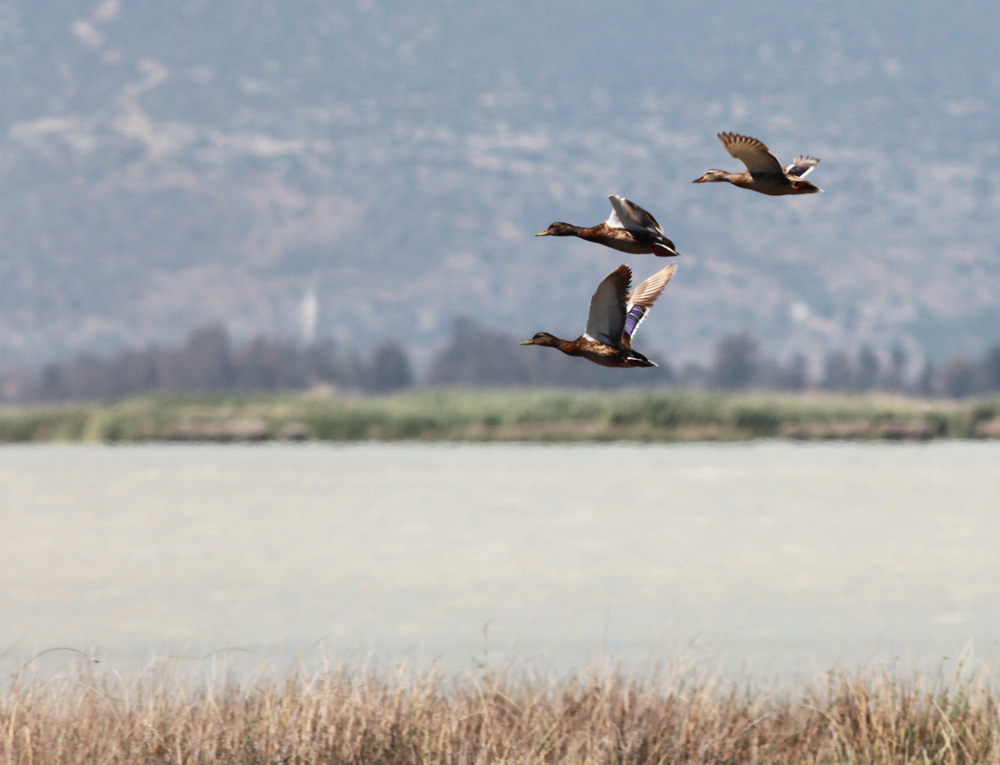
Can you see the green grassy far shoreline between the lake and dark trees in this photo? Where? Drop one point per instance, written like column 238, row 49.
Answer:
column 671, row 416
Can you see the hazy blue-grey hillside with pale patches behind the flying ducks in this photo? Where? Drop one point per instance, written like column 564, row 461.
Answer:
column 371, row 174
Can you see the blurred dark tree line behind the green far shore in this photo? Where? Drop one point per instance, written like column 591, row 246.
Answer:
column 208, row 362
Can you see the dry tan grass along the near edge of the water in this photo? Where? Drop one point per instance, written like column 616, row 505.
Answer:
column 356, row 716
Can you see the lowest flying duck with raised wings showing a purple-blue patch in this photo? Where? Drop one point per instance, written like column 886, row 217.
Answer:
column 615, row 314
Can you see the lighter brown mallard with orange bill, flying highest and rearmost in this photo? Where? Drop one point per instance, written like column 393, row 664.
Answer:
column 764, row 173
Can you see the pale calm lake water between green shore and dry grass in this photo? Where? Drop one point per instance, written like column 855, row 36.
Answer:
column 772, row 557
